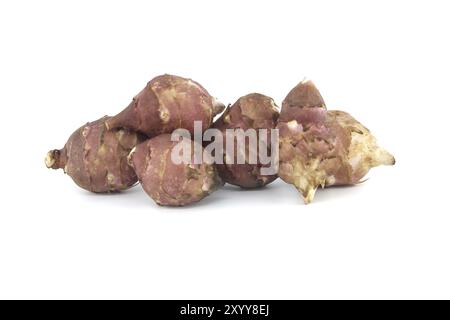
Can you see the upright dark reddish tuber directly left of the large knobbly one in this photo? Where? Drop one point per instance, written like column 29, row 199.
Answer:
column 253, row 111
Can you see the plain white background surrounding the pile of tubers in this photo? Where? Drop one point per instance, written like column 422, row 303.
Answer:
column 63, row 63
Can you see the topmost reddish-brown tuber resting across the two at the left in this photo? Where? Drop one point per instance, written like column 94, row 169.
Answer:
column 167, row 103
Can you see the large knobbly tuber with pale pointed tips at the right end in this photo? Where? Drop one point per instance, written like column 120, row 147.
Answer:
column 323, row 148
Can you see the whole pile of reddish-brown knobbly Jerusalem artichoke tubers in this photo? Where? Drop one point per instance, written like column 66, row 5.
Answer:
column 316, row 147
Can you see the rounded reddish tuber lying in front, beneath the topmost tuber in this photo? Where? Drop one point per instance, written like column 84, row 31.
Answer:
column 168, row 183
